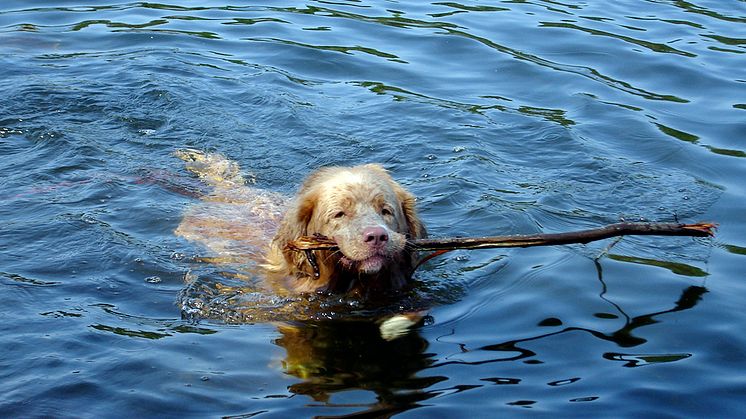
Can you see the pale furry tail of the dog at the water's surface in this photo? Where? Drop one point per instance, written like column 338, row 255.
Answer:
column 212, row 168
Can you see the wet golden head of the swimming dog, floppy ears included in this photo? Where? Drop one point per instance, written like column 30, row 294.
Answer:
column 370, row 217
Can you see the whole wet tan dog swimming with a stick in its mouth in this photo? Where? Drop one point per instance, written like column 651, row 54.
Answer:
column 368, row 214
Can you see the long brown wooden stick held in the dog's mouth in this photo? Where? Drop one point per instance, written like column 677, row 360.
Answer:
column 583, row 236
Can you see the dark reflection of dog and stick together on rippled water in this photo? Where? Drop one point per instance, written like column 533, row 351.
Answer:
column 337, row 356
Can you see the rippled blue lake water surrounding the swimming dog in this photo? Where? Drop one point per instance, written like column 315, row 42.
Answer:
column 503, row 117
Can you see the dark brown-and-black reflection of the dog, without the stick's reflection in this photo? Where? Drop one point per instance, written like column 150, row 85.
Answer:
column 336, row 356
